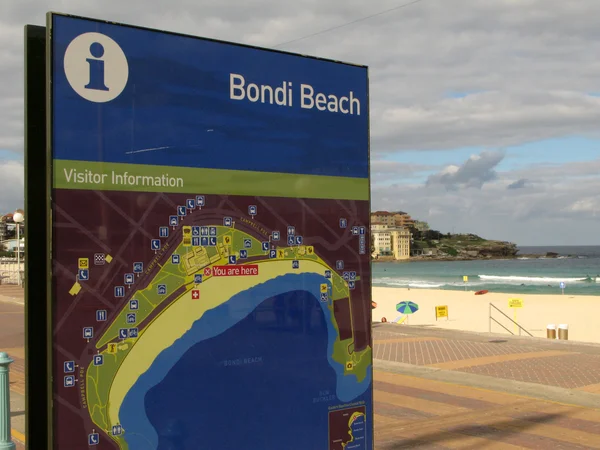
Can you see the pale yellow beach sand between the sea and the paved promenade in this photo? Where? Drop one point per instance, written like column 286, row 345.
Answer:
column 470, row 312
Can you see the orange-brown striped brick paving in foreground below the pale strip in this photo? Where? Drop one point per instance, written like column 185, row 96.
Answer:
column 430, row 414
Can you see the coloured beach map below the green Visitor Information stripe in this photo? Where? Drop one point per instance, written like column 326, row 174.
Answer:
column 220, row 300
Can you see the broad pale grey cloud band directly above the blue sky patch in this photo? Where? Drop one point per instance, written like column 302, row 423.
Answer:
column 498, row 119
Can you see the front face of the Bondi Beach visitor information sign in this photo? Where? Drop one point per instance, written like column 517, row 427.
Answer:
column 180, row 161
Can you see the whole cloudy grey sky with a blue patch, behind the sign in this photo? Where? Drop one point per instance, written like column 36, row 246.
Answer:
column 485, row 114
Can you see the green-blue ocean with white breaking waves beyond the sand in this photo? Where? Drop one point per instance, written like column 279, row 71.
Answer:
column 577, row 266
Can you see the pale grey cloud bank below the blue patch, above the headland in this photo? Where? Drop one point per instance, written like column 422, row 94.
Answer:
column 561, row 214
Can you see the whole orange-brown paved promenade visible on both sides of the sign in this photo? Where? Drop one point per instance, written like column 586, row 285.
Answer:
column 440, row 389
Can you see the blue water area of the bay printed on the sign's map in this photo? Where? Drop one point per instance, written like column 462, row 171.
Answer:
column 228, row 376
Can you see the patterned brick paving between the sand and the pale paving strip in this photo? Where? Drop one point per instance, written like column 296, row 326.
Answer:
column 566, row 365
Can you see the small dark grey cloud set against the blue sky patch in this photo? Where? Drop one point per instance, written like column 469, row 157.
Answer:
column 474, row 173
